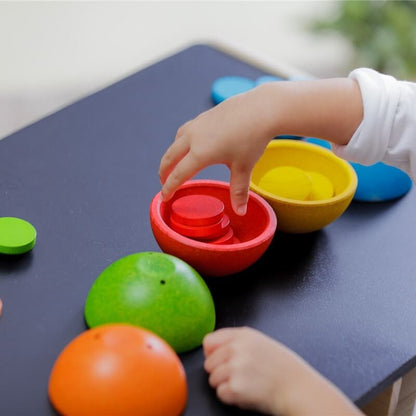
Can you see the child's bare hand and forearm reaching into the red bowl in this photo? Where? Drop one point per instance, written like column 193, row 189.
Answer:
column 237, row 131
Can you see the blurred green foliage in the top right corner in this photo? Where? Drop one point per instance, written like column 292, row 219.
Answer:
column 383, row 34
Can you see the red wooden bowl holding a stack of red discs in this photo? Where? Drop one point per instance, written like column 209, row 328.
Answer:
column 254, row 231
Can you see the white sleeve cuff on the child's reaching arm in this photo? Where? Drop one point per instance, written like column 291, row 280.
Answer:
column 387, row 132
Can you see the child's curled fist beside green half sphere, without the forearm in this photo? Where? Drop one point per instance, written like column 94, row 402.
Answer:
column 249, row 369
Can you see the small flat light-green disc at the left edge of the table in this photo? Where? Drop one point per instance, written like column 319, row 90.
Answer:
column 17, row 236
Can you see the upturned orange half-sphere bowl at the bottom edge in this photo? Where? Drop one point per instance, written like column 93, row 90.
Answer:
column 118, row 370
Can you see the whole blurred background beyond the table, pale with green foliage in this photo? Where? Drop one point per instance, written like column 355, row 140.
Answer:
column 53, row 53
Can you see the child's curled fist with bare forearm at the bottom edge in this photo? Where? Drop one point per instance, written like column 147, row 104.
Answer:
column 252, row 371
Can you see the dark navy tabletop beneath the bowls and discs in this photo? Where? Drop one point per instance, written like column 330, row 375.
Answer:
column 343, row 297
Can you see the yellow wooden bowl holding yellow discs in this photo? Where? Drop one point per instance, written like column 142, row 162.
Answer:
column 294, row 216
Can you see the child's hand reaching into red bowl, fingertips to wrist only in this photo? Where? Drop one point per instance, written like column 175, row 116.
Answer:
column 234, row 133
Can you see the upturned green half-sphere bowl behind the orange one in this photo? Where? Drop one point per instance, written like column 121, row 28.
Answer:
column 155, row 291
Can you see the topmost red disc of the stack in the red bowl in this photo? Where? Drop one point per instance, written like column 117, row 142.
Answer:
column 197, row 210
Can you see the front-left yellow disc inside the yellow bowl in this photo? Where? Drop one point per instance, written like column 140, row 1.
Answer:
column 287, row 182
